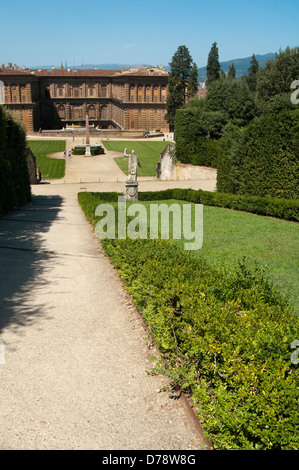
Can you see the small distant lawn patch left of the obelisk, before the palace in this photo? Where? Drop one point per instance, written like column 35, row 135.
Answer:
column 51, row 168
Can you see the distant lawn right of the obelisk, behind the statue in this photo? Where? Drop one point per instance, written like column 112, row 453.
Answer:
column 148, row 154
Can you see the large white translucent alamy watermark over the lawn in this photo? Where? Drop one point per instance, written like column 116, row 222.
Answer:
column 177, row 221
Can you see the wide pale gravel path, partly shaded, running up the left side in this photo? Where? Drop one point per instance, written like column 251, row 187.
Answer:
column 76, row 353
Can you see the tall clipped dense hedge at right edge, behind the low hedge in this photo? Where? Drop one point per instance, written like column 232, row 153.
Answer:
column 263, row 161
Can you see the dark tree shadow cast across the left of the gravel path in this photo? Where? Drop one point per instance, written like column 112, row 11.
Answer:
column 23, row 260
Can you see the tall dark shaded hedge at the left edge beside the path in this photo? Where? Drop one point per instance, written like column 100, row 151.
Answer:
column 14, row 178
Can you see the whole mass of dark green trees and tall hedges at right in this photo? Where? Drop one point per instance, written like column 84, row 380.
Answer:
column 256, row 149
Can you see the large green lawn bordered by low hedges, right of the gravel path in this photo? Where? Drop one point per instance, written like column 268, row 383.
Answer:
column 229, row 235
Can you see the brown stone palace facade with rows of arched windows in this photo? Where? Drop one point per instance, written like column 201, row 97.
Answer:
column 122, row 99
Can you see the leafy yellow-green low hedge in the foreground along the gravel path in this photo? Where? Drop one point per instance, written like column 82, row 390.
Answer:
column 225, row 339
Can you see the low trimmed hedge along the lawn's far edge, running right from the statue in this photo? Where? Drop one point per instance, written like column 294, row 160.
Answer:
column 287, row 209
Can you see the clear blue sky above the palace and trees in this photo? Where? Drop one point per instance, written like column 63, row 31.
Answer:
column 137, row 32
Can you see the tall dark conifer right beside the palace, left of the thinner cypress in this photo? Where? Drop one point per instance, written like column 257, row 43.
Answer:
column 179, row 76
